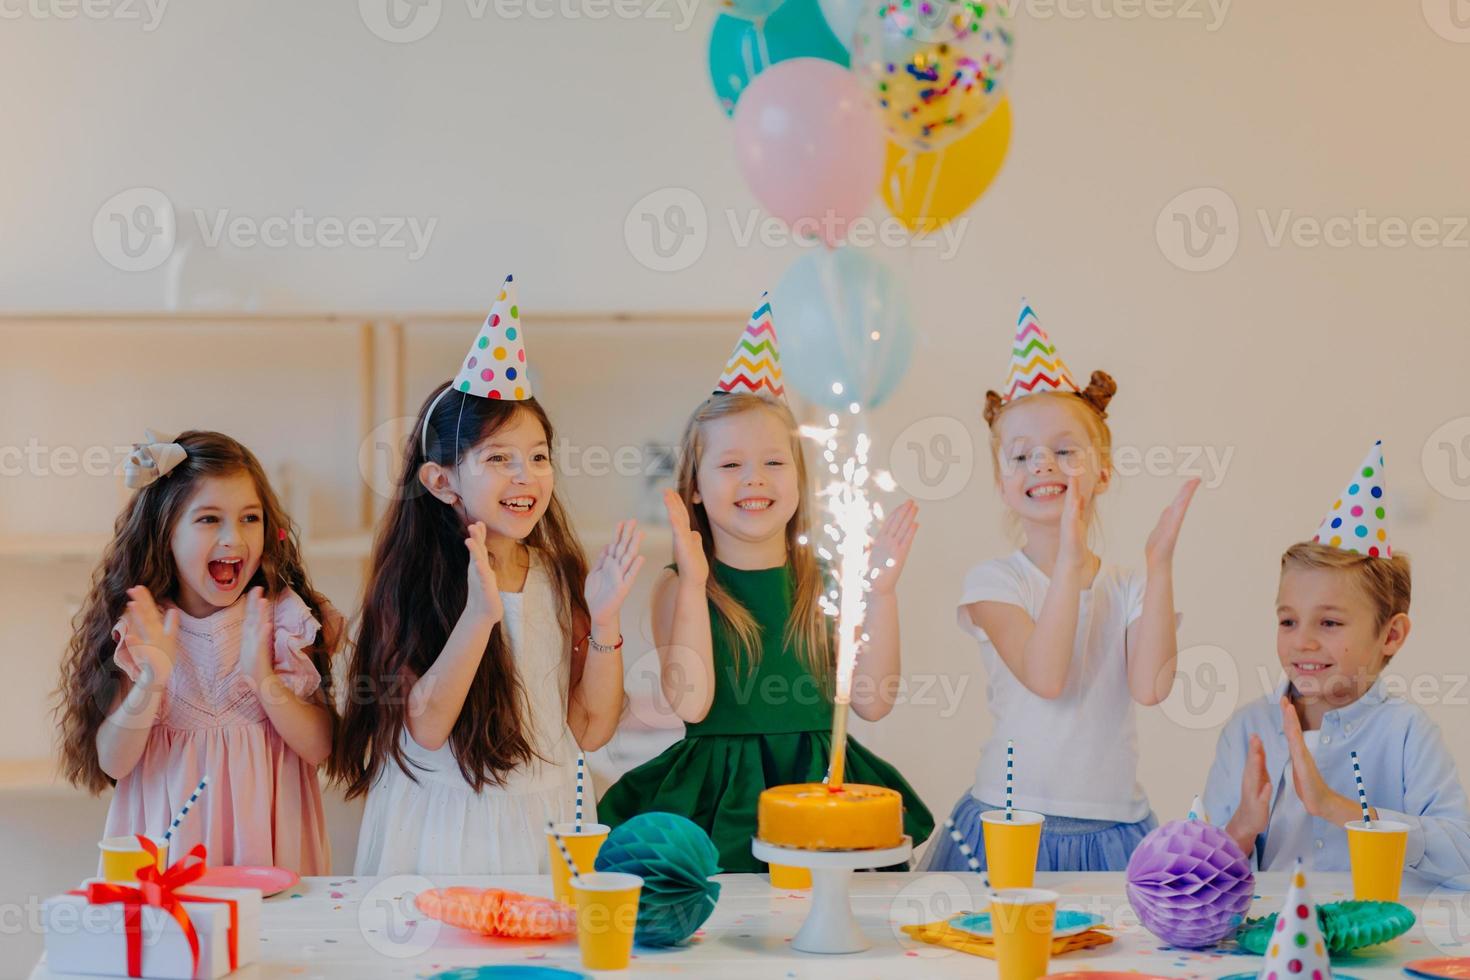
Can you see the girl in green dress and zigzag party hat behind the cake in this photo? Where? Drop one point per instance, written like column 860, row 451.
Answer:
column 746, row 653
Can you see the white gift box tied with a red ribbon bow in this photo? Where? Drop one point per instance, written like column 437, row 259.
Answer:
column 164, row 926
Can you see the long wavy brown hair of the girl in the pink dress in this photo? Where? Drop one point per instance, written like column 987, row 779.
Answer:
column 140, row 553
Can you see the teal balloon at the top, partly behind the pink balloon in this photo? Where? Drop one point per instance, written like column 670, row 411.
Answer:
column 796, row 30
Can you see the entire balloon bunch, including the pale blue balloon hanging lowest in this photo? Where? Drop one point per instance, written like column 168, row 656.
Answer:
column 836, row 101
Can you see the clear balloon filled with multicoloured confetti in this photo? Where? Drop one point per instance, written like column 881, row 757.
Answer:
column 934, row 68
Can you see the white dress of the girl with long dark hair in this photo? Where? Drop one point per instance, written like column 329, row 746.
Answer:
column 439, row 825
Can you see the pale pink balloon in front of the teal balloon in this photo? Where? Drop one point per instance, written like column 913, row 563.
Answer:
column 811, row 146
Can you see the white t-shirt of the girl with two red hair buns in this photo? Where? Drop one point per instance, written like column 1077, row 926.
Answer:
column 1077, row 756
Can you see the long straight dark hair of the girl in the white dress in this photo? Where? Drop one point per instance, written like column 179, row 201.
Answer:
column 417, row 593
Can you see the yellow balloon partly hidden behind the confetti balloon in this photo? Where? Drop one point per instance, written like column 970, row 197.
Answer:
column 930, row 190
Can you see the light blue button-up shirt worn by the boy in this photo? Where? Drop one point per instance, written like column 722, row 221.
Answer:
column 1408, row 772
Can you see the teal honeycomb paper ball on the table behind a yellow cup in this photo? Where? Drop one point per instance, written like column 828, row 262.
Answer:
column 675, row 859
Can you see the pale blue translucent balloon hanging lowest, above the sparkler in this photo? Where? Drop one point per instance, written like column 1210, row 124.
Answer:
column 843, row 318
